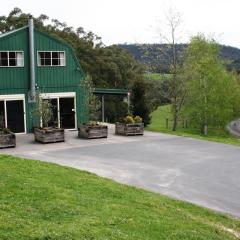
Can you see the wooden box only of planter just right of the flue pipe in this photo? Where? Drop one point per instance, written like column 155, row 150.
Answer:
column 49, row 135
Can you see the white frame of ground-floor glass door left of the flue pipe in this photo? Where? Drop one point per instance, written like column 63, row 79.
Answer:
column 14, row 97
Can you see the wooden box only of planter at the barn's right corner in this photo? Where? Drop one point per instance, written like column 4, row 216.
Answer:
column 91, row 132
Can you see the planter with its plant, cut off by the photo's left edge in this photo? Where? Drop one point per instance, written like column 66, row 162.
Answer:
column 7, row 138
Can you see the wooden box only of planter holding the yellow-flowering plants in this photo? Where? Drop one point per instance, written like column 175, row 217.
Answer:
column 131, row 129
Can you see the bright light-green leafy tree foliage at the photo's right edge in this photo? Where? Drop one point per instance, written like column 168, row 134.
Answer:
column 212, row 91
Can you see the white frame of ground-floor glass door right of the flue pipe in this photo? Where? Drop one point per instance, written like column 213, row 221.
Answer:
column 62, row 95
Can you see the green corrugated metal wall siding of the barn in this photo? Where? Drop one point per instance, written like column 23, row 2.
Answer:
column 16, row 80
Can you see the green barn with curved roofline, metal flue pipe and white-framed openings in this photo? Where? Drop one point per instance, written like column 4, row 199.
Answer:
column 30, row 61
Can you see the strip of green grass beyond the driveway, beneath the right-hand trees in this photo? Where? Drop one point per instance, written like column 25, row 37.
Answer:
column 159, row 125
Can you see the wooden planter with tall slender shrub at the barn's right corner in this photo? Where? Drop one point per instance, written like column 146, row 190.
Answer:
column 92, row 129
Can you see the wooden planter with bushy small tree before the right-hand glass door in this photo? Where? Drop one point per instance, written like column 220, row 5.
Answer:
column 43, row 132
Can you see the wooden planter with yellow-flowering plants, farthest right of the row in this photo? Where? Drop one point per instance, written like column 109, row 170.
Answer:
column 130, row 126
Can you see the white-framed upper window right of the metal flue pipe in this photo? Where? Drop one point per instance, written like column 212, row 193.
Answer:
column 51, row 58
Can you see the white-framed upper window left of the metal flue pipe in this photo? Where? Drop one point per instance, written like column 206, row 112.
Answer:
column 11, row 59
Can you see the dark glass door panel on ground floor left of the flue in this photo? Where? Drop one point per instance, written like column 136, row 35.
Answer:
column 15, row 115
